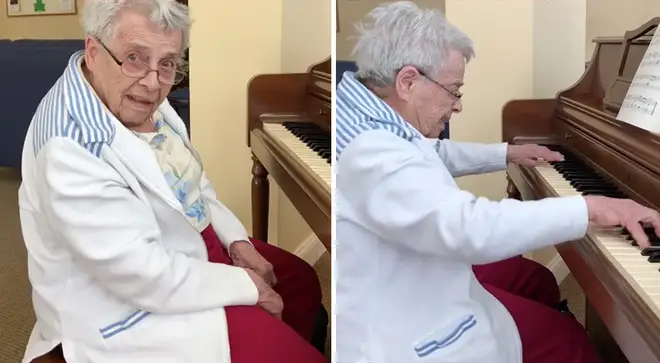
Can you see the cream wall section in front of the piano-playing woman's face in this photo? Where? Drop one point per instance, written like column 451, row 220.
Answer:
column 502, row 70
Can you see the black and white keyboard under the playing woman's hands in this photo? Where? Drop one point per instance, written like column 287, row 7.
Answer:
column 640, row 268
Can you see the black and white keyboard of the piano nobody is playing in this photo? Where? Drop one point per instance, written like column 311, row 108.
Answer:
column 308, row 145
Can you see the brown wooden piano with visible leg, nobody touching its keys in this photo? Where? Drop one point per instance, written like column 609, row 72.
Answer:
column 289, row 134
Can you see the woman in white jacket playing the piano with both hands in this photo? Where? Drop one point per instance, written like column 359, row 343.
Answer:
column 409, row 291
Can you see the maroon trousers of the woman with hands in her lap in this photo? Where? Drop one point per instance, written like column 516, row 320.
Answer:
column 257, row 336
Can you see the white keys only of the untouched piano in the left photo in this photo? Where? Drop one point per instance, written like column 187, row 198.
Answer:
column 310, row 160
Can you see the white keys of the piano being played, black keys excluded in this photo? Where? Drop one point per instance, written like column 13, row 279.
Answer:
column 642, row 275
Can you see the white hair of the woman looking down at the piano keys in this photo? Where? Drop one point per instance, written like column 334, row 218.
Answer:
column 402, row 34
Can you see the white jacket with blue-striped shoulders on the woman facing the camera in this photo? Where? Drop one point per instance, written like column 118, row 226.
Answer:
column 118, row 273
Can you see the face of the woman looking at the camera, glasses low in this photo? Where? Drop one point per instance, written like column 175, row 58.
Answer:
column 133, row 99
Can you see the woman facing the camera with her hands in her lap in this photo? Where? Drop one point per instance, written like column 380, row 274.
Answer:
column 131, row 256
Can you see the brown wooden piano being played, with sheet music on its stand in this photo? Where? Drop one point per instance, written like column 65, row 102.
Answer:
column 608, row 157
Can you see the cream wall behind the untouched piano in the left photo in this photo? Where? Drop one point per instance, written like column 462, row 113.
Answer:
column 283, row 36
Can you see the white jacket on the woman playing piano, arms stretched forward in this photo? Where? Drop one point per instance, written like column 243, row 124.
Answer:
column 407, row 237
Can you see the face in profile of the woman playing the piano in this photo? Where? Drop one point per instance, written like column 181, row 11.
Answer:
column 430, row 100
